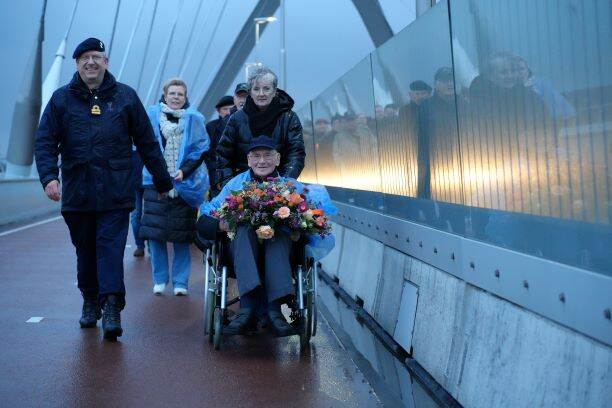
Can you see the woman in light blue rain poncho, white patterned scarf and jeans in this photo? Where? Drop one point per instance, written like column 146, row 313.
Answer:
column 181, row 133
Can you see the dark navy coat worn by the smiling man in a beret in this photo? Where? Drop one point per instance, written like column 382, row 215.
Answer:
column 96, row 150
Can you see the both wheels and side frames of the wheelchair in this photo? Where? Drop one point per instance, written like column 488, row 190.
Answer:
column 218, row 269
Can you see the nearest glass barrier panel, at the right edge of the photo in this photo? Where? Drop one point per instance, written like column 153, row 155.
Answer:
column 534, row 83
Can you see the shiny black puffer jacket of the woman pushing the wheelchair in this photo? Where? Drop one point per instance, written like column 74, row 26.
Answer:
column 234, row 143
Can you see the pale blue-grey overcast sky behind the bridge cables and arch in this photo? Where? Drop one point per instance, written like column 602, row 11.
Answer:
column 324, row 38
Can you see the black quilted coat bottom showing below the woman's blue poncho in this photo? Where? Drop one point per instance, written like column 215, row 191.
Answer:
column 167, row 219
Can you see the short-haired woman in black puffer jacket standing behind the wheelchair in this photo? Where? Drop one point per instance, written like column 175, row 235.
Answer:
column 267, row 111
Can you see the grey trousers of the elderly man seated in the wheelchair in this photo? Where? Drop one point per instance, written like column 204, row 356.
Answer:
column 245, row 249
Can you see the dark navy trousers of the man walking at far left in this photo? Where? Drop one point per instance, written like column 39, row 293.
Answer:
column 99, row 239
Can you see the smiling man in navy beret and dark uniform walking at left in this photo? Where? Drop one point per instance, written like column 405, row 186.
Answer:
column 92, row 123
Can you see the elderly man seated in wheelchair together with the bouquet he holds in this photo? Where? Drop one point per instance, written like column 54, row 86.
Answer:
column 263, row 214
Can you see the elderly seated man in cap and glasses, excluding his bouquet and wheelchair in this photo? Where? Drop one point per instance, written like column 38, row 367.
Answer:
column 262, row 267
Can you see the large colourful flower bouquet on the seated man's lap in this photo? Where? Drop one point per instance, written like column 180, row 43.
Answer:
column 272, row 204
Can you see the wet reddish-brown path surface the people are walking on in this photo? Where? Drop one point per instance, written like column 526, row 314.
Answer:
column 163, row 358
